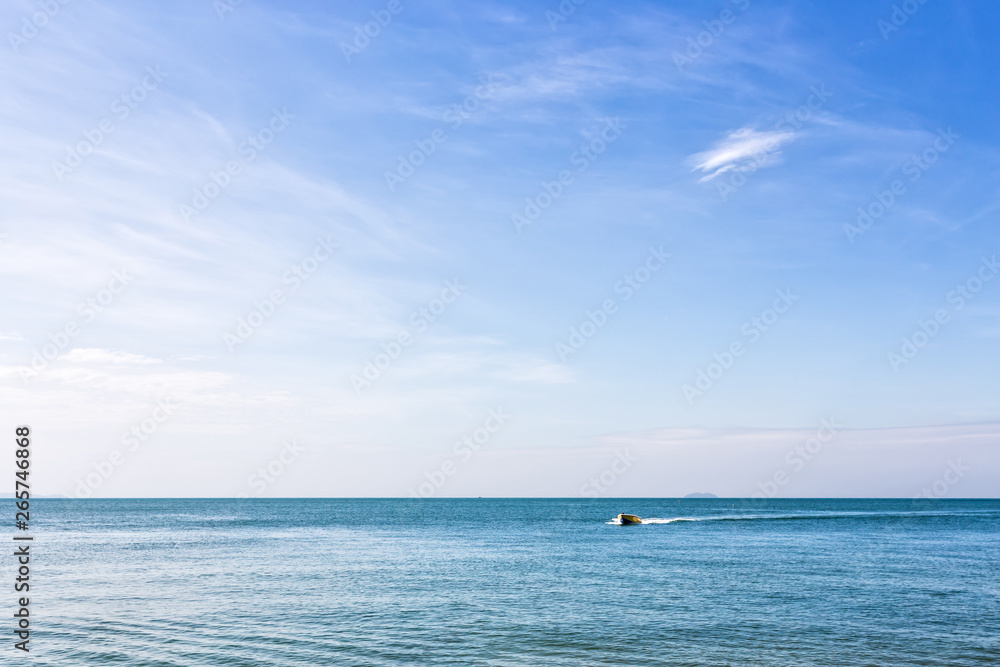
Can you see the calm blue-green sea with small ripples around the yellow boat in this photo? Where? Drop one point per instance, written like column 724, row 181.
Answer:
column 512, row 582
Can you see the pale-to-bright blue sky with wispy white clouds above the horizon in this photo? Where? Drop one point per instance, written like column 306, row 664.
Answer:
column 693, row 150
